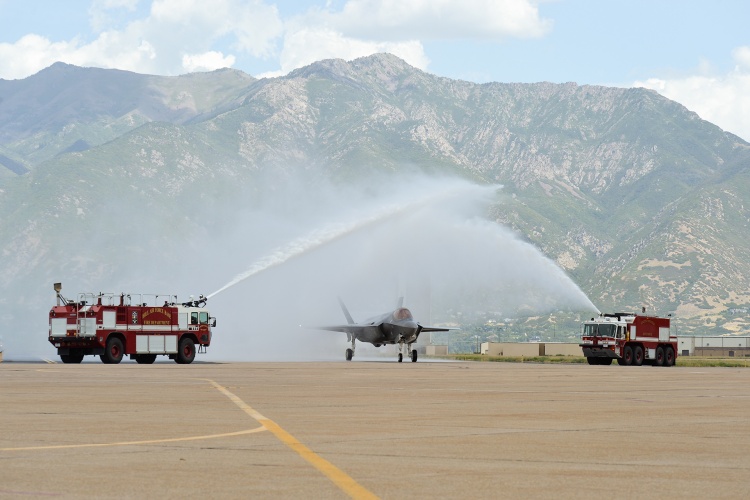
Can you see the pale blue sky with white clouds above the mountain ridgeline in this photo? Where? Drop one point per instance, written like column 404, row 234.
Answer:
column 695, row 52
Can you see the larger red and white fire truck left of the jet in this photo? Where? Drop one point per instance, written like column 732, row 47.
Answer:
column 144, row 326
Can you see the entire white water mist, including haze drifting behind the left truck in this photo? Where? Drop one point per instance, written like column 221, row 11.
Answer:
column 273, row 268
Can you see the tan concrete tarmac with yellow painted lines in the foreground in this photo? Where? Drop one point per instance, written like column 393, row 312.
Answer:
column 364, row 429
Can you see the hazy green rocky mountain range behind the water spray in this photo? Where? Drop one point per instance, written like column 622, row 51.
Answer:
column 638, row 199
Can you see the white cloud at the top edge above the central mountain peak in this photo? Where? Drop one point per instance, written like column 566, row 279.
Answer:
column 365, row 27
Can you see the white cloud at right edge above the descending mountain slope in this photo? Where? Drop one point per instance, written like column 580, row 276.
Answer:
column 721, row 99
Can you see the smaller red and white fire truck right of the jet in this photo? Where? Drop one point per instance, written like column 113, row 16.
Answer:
column 629, row 338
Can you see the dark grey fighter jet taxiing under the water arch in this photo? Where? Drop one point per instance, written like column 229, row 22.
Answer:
column 395, row 327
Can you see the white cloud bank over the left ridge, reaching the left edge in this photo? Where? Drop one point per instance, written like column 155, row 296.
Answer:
column 173, row 36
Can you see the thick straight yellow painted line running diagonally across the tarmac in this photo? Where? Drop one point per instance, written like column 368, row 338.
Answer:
column 336, row 475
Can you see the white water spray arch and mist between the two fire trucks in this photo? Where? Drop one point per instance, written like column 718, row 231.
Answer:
column 422, row 238
